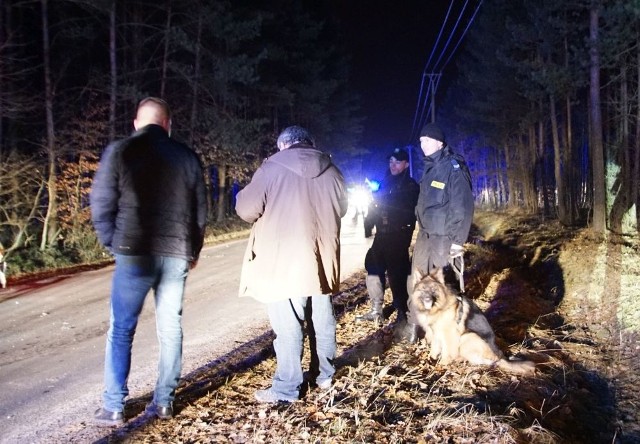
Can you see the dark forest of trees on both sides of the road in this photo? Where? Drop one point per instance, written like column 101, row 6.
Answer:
column 543, row 100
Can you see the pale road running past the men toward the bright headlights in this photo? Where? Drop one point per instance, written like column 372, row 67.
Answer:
column 53, row 336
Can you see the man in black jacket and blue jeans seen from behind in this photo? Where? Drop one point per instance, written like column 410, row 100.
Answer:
column 148, row 207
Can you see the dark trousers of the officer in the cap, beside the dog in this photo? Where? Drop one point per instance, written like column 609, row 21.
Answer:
column 389, row 254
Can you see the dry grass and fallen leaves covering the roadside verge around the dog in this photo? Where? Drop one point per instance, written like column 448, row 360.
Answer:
column 387, row 391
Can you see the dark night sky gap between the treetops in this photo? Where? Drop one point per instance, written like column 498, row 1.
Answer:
column 390, row 43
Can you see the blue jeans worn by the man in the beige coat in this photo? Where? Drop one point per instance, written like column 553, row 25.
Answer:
column 287, row 320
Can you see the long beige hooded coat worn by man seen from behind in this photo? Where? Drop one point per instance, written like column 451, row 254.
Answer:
column 295, row 201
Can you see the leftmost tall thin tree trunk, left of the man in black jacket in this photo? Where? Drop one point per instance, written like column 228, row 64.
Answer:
column 50, row 226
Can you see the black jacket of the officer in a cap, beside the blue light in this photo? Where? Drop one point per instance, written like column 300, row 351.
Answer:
column 393, row 206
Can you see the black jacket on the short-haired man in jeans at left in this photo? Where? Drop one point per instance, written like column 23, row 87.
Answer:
column 149, row 198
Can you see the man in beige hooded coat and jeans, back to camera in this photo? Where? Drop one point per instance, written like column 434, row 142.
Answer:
column 295, row 200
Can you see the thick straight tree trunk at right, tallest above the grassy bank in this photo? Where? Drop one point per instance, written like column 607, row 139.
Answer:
column 597, row 145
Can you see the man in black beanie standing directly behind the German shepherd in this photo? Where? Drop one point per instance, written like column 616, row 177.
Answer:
column 444, row 210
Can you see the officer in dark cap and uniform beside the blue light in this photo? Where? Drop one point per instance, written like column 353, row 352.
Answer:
column 392, row 213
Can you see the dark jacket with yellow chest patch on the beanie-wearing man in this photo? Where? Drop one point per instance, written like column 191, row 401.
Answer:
column 445, row 206
